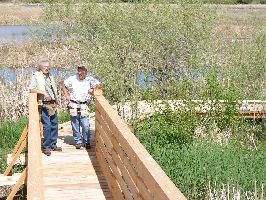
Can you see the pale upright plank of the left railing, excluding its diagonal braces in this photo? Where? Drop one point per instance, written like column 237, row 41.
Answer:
column 34, row 171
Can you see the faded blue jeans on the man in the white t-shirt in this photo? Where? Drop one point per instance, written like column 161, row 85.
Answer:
column 78, row 122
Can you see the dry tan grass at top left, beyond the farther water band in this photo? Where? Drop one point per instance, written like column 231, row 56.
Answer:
column 18, row 14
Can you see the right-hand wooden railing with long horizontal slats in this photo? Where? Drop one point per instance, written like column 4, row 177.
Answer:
column 129, row 169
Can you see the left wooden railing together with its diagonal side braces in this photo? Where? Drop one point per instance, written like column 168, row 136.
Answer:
column 30, row 138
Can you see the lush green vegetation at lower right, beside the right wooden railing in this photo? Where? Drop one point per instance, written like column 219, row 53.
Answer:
column 202, row 165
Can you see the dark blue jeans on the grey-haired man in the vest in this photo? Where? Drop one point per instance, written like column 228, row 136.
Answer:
column 50, row 129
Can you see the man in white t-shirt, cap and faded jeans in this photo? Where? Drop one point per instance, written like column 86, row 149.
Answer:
column 78, row 90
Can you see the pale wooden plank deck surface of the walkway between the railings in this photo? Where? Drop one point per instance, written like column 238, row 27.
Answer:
column 73, row 173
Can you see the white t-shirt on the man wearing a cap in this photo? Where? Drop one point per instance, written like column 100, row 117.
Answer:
column 79, row 89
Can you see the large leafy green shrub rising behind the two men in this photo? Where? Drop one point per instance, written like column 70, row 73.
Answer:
column 120, row 40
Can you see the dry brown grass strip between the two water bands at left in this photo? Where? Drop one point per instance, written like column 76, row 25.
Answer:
column 62, row 54
